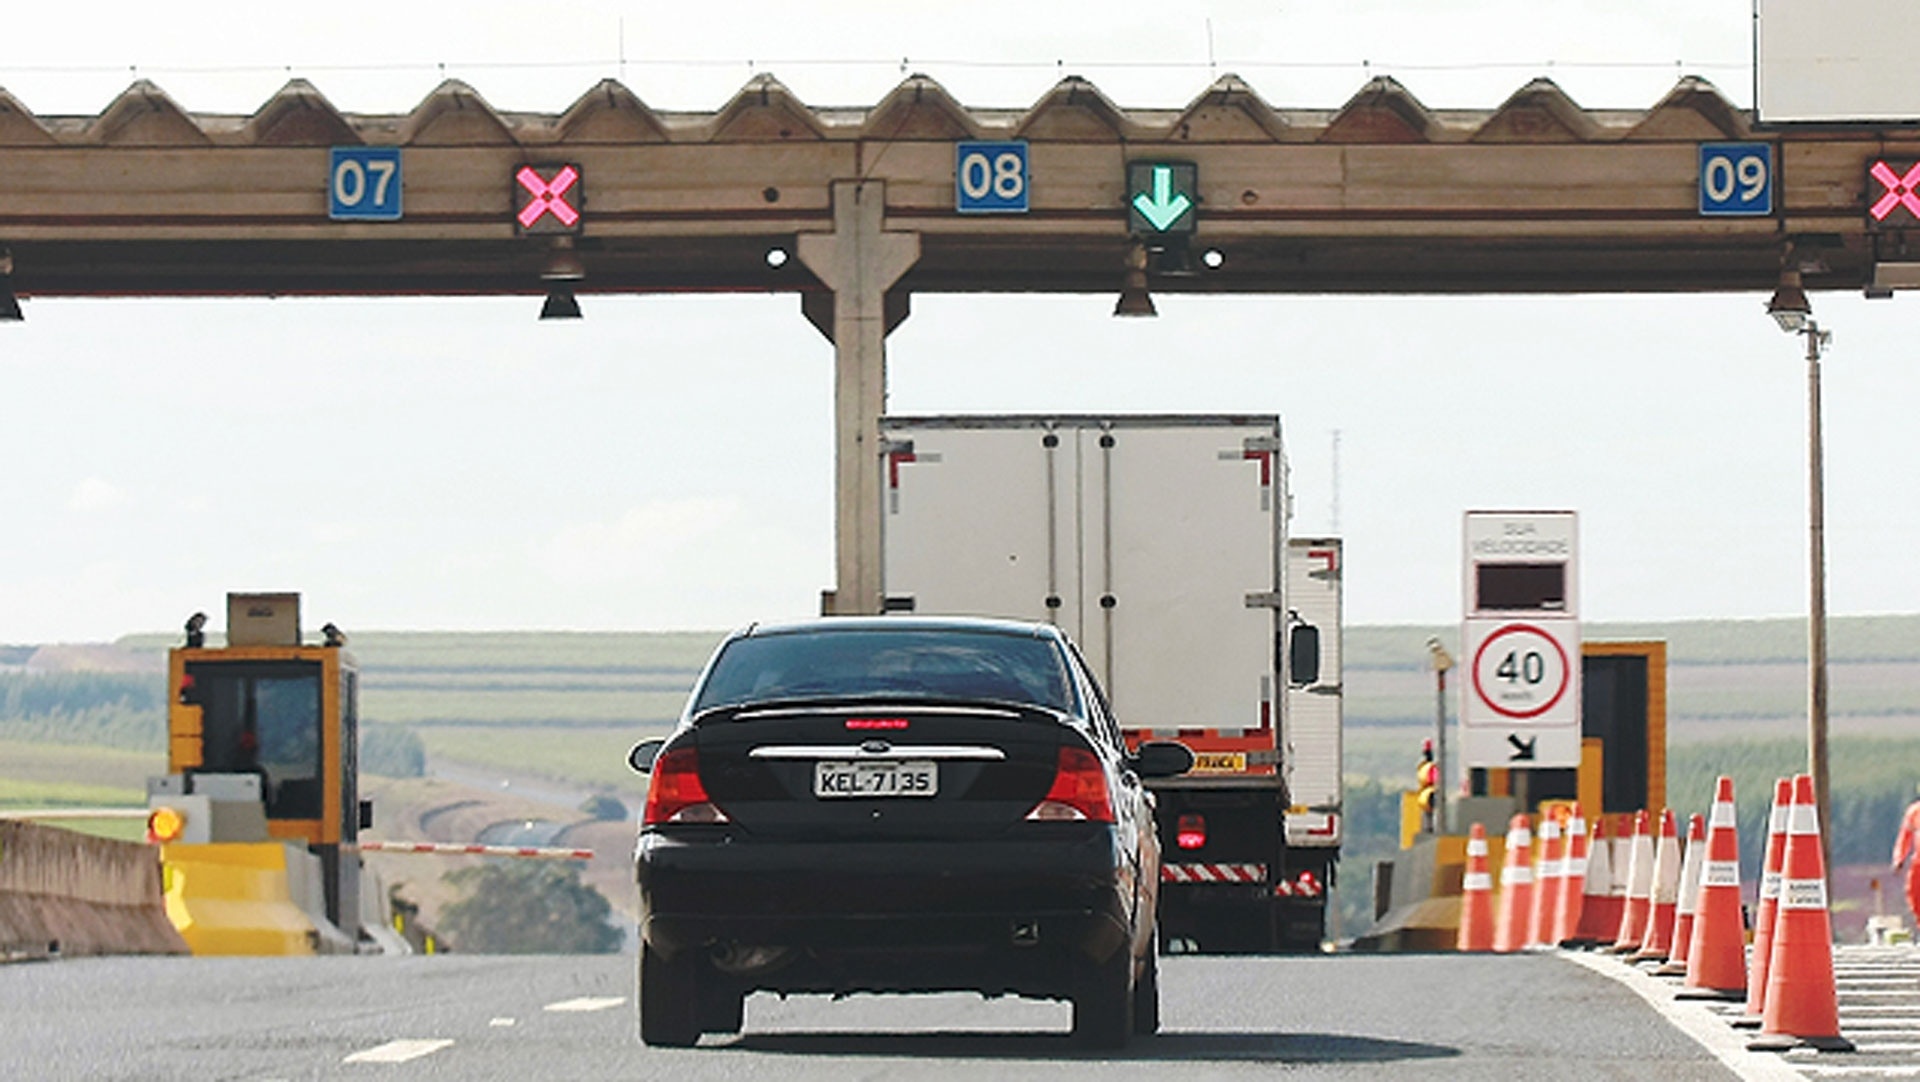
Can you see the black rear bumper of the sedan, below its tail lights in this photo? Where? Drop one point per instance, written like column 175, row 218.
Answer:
column 994, row 916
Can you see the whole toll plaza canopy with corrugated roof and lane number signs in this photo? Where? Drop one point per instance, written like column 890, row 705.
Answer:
column 1228, row 193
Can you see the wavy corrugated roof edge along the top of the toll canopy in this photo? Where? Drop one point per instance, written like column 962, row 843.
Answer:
column 1074, row 110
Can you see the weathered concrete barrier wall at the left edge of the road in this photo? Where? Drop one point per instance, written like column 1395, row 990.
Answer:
column 64, row 893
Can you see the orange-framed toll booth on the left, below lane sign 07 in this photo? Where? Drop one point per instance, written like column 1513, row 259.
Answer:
column 272, row 709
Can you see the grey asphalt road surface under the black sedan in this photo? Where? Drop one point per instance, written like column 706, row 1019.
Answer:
column 571, row 1018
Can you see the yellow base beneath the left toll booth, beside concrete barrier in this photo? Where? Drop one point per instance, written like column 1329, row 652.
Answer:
column 231, row 899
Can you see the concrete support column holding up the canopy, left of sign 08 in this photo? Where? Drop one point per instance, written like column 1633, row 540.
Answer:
column 859, row 262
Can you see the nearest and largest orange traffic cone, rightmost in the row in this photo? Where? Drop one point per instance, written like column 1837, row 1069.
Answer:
column 1802, row 999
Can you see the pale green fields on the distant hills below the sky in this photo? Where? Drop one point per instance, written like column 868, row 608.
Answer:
column 569, row 705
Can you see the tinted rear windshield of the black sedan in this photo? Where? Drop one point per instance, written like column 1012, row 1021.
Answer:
column 888, row 665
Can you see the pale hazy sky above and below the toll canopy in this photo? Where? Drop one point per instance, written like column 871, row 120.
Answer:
column 667, row 461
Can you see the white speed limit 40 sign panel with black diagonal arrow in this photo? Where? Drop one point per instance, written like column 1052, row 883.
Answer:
column 1524, row 694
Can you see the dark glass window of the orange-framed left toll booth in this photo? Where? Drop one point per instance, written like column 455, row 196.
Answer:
column 264, row 720
